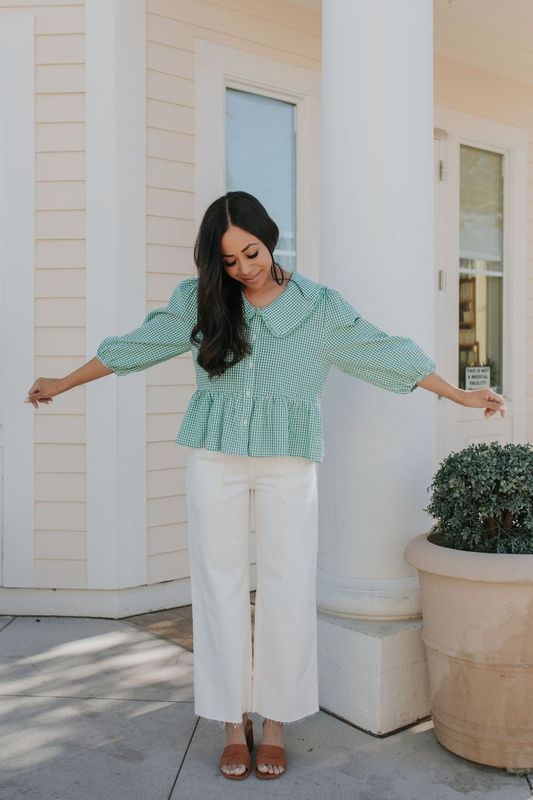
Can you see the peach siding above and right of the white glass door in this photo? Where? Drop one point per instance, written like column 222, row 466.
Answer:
column 475, row 91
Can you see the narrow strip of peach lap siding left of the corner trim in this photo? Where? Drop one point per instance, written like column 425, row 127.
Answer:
column 60, row 513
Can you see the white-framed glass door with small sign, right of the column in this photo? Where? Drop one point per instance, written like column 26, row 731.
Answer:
column 481, row 227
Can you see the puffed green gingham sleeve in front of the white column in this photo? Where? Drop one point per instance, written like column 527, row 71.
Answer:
column 358, row 348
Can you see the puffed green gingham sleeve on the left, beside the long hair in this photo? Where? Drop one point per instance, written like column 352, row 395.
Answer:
column 165, row 333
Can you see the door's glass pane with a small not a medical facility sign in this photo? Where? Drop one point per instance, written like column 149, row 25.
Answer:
column 481, row 269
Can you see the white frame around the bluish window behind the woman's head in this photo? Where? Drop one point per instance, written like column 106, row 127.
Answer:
column 218, row 67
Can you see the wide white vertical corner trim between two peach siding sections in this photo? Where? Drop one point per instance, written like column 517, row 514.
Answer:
column 115, row 42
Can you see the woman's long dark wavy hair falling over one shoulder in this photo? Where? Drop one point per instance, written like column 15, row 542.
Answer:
column 221, row 329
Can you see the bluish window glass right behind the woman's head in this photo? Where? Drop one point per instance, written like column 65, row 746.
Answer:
column 261, row 159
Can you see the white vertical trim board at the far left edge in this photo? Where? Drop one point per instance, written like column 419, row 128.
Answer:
column 17, row 264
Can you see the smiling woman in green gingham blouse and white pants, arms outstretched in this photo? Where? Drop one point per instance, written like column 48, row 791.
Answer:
column 262, row 340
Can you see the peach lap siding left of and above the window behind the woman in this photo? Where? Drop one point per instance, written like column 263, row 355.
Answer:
column 278, row 30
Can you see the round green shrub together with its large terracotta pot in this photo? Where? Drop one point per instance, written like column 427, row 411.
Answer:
column 475, row 570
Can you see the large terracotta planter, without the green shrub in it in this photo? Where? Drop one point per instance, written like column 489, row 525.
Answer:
column 477, row 611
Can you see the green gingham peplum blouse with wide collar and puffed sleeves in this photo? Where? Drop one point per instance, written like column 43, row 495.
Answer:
column 269, row 403
